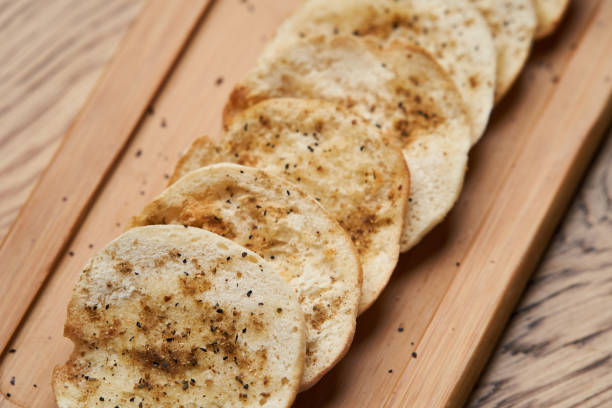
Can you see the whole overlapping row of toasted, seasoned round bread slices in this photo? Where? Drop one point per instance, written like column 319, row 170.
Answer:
column 240, row 284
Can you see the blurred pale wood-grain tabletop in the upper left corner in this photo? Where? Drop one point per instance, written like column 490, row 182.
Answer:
column 52, row 54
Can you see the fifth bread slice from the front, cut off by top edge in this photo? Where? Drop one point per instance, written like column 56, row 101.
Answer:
column 454, row 32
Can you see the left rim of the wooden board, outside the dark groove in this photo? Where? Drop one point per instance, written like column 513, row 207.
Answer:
column 41, row 231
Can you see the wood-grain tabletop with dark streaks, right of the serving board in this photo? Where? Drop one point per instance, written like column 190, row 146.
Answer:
column 557, row 349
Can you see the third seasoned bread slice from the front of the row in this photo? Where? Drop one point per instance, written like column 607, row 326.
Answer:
column 360, row 178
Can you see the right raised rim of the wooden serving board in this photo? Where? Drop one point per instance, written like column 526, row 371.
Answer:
column 480, row 330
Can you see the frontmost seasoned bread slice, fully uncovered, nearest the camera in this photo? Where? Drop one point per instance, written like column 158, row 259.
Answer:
column 167, row 316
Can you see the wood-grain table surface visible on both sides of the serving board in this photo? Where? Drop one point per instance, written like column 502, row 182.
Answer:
column 557, row 348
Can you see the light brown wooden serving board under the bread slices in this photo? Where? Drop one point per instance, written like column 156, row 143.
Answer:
column 425, row 341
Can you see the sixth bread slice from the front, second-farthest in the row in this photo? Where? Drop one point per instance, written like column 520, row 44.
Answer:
column 512, row 24
